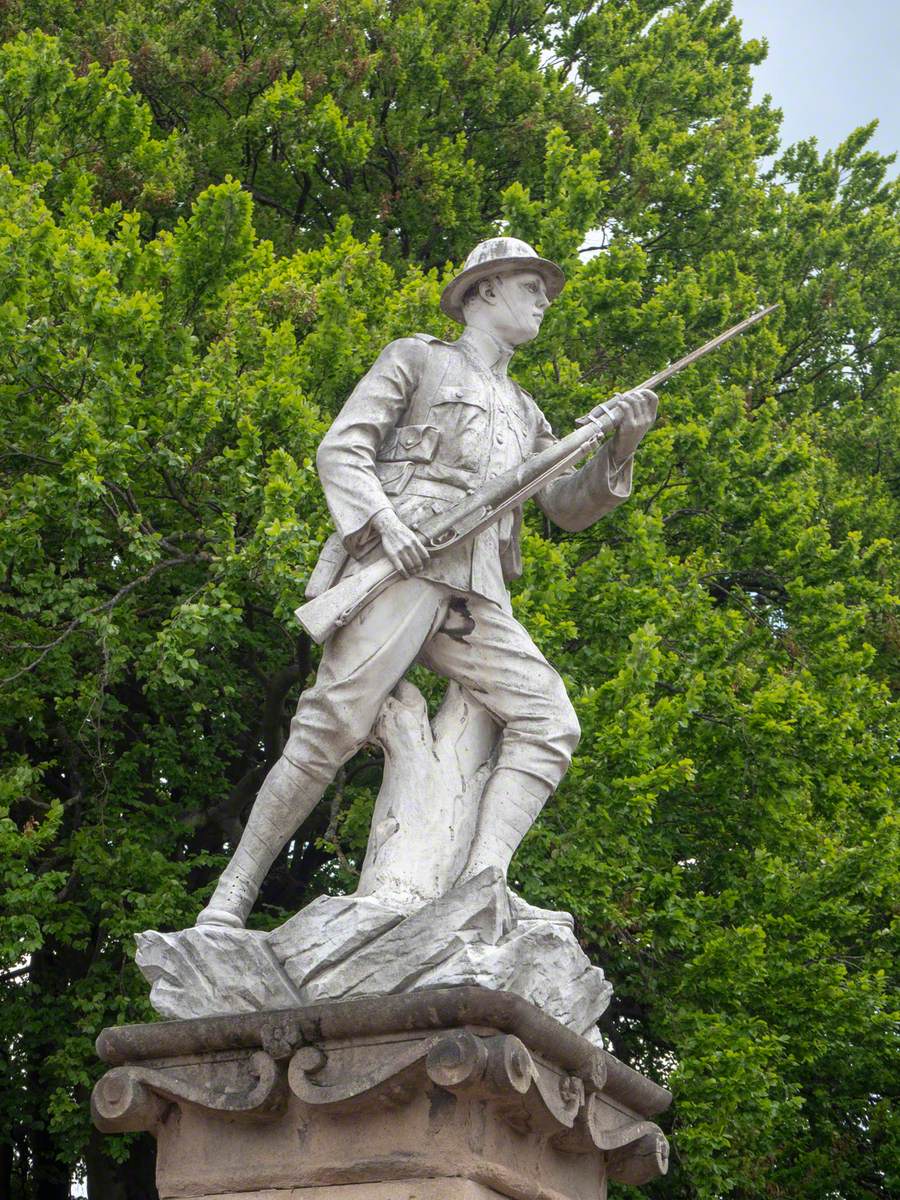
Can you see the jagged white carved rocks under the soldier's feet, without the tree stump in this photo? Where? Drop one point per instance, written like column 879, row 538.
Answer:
column 340, row 947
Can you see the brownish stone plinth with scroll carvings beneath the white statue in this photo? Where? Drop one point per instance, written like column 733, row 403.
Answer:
column 457, row 1094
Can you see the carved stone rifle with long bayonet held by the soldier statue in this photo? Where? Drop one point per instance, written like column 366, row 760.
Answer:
column 466, row 519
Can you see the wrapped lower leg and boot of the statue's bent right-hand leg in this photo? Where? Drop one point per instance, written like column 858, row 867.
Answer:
column 511, row 805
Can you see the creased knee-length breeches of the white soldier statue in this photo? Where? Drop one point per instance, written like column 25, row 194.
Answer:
column 461, row 638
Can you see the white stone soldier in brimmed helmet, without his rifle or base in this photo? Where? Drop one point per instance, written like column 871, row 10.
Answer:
column 430, row 423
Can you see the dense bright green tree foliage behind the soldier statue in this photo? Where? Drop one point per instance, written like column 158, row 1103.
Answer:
column 212, row 218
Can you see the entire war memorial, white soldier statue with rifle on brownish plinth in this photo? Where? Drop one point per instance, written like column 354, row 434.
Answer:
column 431, row 1036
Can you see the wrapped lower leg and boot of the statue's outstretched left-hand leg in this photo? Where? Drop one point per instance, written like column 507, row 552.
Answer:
column 283, row 805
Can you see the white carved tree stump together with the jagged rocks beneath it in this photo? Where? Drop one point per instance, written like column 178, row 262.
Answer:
column 407, row 927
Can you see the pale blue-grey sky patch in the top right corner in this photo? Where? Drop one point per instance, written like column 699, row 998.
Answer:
column 832, row 65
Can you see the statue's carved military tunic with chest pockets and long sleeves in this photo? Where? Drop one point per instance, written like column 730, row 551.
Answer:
column 429, row 424
